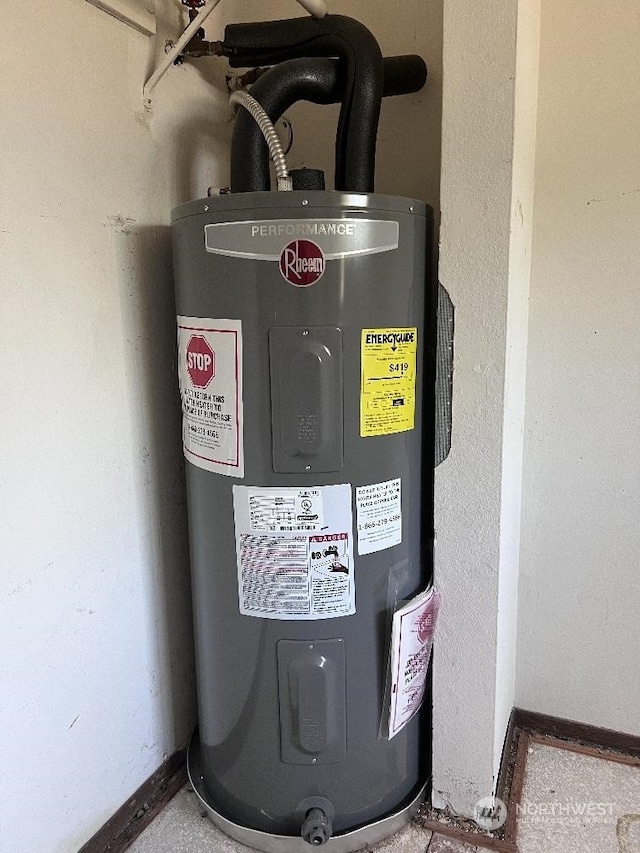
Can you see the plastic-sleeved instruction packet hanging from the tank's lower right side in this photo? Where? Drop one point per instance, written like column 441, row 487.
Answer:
column 411, row 641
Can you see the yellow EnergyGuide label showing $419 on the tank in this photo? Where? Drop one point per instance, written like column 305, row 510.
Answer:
column 388, row 381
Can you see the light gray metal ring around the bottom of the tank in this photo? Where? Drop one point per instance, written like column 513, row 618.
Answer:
column 346, row 842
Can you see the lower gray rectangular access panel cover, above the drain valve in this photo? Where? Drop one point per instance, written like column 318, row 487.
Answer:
column 311, row 687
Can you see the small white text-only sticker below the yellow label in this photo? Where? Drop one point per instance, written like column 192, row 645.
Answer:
column 379, row 516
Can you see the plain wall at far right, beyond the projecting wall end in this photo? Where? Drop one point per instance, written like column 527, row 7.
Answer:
column 578, row 637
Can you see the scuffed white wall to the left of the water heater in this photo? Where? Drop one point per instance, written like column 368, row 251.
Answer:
column 95, row 635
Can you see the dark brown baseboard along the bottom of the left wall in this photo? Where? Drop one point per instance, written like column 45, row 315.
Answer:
column 141, row 808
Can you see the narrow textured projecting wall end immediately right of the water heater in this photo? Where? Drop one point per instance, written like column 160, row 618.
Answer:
column 489, row 96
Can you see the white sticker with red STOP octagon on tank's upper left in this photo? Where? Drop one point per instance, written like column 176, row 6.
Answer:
column 210, row 379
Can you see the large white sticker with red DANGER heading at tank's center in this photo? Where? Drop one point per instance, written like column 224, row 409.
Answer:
column 294, row 550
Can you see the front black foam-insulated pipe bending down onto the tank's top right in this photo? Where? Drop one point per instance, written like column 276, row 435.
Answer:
column 272, row 42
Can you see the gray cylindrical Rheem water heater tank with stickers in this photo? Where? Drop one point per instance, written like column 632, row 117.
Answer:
column 301, row 353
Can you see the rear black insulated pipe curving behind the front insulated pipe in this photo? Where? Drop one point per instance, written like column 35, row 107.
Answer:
column 316, row 80
